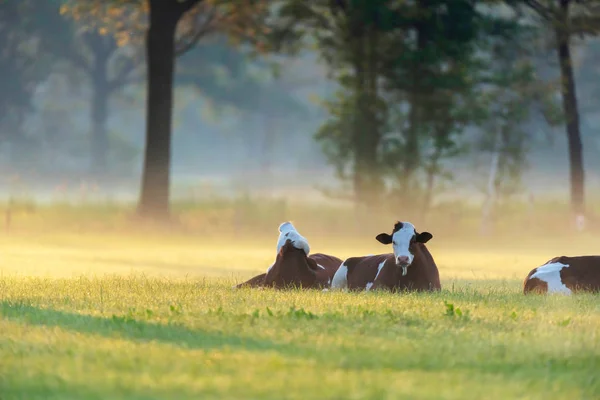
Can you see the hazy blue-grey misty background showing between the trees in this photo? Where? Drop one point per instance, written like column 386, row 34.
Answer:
column 243, row 133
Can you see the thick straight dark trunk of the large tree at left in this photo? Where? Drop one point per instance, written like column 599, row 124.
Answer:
column 160, row 53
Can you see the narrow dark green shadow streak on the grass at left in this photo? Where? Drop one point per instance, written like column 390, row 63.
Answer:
column 131, row 329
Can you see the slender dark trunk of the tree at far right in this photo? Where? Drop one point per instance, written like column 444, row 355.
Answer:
column 569, row 98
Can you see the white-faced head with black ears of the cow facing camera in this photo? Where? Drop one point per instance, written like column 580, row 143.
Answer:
column 404, row 239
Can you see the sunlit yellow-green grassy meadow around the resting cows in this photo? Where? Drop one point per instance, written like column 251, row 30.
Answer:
column 94, row 305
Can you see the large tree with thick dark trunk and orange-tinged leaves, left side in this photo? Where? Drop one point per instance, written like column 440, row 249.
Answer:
column 196, row 19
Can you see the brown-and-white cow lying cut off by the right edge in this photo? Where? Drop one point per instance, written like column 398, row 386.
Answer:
column 565, row 275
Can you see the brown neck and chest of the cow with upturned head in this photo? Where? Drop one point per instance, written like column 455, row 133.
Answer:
column 292, row 267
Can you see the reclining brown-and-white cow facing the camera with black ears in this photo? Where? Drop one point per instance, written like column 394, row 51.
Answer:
column 410, row 267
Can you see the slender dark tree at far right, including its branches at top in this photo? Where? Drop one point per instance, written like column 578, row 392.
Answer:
column 567, row 19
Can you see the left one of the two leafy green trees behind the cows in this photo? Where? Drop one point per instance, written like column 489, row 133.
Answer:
column 353, row 37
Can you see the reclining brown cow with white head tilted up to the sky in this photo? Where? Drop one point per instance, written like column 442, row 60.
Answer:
column 293, row 266
